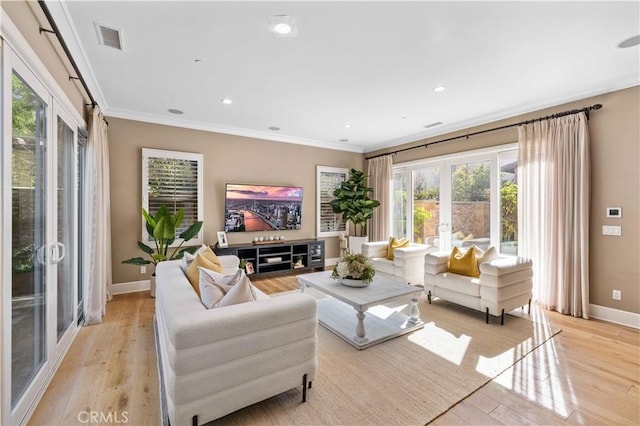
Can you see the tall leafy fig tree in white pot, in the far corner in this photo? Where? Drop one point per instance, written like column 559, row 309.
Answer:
column 353, row 201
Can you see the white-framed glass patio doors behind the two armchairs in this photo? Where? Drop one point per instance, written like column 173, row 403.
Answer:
column 459, row 200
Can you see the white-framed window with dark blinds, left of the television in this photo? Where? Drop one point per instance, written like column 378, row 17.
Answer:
column 173, row 179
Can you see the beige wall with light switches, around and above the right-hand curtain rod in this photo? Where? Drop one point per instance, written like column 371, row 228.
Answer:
column 615, row 161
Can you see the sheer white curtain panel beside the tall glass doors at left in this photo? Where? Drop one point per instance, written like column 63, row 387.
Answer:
column 98, row 221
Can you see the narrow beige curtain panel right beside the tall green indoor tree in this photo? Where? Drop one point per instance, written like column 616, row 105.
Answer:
column 380, row 170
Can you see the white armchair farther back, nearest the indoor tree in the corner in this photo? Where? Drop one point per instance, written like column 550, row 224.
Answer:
column 407, row 263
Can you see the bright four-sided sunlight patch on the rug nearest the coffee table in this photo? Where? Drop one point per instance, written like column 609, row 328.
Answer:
column 442, row 343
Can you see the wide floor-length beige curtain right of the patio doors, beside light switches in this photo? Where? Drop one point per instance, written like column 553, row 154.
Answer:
column 554, row 180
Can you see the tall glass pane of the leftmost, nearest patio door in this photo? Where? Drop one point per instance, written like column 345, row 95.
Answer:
column 29, row 272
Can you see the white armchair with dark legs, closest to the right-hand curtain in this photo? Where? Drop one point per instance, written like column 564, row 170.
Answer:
column 504, row 284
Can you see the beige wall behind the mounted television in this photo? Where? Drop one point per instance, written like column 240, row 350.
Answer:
column 227, row 158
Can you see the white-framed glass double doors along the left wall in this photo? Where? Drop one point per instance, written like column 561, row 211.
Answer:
column 40, row 220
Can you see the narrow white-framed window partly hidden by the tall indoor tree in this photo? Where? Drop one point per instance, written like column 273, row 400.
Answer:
column 329, row 224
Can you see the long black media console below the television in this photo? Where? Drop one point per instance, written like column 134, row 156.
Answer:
column 287, row 256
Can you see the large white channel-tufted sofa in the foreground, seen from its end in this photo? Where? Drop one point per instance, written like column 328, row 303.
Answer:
column 213, row 362
